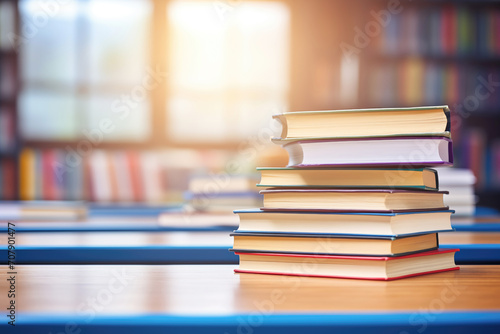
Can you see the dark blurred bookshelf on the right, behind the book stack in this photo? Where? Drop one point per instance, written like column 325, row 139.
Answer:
column 451, row 52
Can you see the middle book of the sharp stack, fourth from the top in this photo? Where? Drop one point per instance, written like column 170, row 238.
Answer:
column 361, row 200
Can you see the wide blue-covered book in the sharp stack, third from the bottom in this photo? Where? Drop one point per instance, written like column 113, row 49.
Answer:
column 383, row 224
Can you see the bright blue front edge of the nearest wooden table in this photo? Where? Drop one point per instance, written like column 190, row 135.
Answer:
column 263, row 322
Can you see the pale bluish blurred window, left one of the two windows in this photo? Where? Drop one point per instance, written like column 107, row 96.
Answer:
column 80, row 60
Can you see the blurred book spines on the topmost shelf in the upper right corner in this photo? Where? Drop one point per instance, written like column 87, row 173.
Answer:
column 447, row 30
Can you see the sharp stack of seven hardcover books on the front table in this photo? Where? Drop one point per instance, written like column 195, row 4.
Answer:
column 357, row 200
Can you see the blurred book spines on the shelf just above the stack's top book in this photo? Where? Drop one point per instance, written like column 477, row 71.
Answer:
column 416, row 82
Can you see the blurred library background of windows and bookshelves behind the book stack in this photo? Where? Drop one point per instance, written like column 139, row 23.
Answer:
column 124, row 101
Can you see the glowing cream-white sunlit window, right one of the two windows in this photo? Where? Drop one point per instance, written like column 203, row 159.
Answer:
column 228, row 68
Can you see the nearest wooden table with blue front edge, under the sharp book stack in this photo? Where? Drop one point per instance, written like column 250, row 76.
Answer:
column 183, row 299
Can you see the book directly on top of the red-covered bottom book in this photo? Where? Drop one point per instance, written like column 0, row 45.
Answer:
column 333, row 244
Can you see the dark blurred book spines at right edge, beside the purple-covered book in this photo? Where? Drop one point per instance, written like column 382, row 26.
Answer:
column 481, row 157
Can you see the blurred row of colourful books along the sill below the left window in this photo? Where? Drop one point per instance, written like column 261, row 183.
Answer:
column 56, row 174
